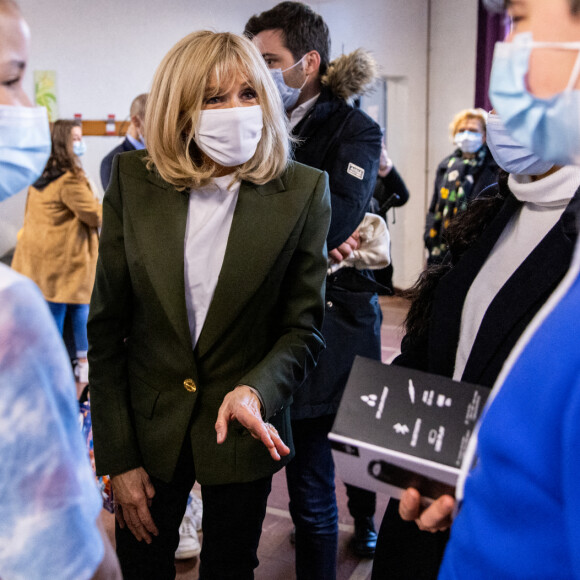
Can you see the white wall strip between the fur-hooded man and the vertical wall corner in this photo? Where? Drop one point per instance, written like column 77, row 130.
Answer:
column 396, row 32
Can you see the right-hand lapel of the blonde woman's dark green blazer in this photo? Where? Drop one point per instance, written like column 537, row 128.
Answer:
column 263, row 220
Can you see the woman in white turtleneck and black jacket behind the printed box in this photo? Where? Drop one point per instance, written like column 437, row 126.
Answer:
column 508, row 252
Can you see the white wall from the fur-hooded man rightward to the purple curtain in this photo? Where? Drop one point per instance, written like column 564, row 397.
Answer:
column 426, row 50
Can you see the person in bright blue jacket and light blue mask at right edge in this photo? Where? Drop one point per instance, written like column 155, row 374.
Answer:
column 517, row 501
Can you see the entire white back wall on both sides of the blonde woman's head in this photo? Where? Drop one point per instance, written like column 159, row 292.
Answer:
column 105, row 53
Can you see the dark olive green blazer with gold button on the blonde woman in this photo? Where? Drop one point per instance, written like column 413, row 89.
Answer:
column 149, row 387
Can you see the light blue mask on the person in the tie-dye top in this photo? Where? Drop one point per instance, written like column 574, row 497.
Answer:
column 24, row 147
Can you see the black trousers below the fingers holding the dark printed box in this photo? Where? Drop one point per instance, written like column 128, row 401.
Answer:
column 404, row 552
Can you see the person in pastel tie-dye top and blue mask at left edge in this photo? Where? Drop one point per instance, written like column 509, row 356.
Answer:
column 49, row 505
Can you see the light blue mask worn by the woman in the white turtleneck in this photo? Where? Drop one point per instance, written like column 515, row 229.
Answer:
column 509, row 154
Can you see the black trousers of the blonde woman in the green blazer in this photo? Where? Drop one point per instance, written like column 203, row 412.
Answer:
column 232, row 524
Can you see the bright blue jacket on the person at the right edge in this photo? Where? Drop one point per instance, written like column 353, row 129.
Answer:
column 521, row 511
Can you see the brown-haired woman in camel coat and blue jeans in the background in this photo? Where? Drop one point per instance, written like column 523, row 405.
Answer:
column 58, row 245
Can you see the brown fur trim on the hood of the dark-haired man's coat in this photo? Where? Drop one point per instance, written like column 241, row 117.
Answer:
column 351, row 75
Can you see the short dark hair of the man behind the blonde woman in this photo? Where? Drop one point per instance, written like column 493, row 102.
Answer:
column 303, row 30
